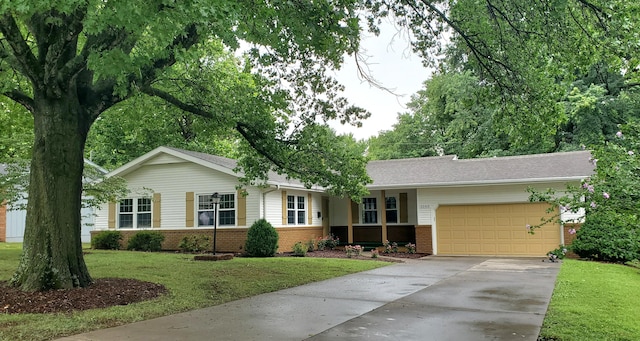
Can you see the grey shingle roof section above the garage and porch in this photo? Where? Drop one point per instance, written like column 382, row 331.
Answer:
column 447, row 170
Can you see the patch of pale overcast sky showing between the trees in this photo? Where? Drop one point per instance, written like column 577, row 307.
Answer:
column 395, row 67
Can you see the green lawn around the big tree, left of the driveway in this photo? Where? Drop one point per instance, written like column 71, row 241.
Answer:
column 191, row 285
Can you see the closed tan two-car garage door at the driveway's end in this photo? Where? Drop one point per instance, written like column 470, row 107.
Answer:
column 498, row 230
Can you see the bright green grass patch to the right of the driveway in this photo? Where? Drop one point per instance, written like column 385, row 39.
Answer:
column 594, row 301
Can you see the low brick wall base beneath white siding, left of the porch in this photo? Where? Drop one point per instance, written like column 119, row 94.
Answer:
column 230, row 239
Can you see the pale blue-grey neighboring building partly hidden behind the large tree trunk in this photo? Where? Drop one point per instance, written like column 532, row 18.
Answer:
column 12, row 221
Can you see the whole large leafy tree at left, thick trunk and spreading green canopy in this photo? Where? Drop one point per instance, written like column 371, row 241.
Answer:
column 69, row 61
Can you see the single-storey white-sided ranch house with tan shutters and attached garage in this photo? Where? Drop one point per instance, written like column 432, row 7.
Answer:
column 444, row 205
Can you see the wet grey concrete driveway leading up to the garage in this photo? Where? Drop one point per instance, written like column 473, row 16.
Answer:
column 435, row 298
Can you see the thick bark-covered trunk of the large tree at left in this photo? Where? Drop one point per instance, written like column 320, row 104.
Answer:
column 52, row 252
